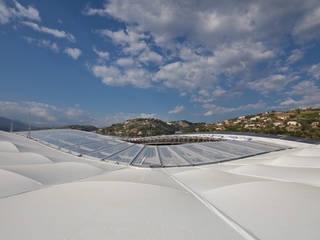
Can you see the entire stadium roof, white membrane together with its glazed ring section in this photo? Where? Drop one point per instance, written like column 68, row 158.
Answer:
column 245, row 188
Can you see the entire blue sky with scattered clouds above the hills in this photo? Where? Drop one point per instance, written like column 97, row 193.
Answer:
column 100, row 62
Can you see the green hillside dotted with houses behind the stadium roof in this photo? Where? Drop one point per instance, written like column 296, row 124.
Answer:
column 299, row 122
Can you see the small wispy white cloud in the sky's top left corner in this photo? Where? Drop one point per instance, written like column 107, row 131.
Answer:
column 17, row 11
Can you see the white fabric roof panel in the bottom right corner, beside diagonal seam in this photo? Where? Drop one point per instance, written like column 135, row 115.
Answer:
column 271, row 210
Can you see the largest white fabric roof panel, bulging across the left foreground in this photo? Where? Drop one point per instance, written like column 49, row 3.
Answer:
column 110, row 210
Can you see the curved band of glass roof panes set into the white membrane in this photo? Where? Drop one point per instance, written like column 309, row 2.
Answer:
column 113, row 149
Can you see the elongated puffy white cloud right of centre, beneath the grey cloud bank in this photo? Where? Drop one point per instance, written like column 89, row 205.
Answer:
column 198, row 71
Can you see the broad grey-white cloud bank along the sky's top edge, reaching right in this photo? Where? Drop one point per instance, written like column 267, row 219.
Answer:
column 213, row 22
